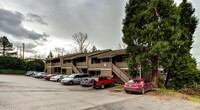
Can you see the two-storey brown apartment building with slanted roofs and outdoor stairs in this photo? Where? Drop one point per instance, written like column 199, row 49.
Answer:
column 103, row 62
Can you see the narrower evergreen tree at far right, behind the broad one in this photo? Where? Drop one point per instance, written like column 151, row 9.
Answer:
column 184, row 66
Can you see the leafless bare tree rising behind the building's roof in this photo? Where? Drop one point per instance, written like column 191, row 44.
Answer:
column 80, row 39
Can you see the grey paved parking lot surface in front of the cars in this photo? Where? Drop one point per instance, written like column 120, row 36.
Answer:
column 27, row 93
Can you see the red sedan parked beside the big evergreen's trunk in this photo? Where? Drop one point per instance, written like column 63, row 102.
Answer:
column 138, row 85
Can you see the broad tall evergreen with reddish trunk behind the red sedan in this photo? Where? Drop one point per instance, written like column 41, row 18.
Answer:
column 149, row 27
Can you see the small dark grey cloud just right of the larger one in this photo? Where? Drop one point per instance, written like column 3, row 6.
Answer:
column 35, row 18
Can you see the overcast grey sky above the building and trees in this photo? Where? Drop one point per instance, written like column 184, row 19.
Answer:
column 45, row 25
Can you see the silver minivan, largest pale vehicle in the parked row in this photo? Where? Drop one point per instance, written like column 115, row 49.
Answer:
column 74, row 78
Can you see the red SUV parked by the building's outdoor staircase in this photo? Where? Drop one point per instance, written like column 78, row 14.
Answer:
column 102, row 81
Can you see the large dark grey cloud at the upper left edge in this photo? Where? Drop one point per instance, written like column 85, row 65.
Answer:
column 11, row 23
